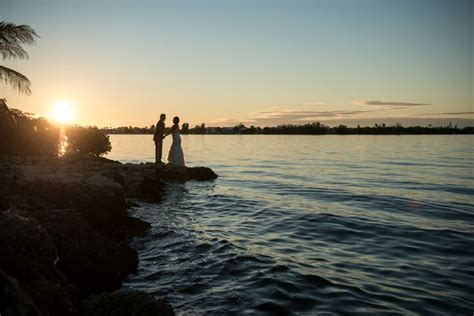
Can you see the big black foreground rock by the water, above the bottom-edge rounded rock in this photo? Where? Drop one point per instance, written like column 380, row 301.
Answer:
column 95, row 263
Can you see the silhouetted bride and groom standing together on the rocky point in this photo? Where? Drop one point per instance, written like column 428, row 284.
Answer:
column 175, row 155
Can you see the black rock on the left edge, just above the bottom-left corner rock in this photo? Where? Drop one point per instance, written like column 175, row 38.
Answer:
column 29, row 256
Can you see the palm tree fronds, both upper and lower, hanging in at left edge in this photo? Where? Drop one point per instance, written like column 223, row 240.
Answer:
column 12, row 38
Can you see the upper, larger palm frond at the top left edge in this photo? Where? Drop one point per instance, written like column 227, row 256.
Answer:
column 13, row 37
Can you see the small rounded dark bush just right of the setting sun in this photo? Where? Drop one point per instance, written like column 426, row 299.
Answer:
column 88, row 140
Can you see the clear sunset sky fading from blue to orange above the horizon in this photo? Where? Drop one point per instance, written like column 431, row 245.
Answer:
column 260, row 62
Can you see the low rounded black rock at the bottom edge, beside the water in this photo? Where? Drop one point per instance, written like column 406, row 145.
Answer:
column 126, row 303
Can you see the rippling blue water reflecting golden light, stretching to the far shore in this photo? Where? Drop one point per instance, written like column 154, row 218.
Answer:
column 308, row 224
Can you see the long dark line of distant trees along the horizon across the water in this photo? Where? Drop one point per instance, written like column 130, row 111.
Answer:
column 315, row 128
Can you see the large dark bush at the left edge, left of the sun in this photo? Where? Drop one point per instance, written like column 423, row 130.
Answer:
column 29, row 136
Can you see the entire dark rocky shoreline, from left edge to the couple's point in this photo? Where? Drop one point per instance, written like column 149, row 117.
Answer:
column 64, row 231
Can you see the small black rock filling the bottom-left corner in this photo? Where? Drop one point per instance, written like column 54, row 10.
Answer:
column 13, row 300
